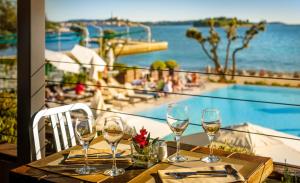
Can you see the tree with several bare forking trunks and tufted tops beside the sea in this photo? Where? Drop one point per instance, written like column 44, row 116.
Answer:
column 210, row 43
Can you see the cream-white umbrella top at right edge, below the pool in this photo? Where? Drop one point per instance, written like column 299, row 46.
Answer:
column 279, row 149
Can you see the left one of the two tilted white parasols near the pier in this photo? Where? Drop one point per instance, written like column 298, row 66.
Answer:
column 61, row 61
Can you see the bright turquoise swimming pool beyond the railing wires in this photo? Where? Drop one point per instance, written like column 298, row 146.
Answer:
column 283, row 118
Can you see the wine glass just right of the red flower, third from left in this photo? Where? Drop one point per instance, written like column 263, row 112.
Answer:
column 178, row 120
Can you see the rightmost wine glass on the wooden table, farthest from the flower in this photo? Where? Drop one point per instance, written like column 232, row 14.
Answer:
column 211, row 124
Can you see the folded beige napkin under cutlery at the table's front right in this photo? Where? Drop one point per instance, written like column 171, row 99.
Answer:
column 198, row 178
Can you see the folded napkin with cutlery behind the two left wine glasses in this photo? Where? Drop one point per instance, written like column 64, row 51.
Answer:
column 97, row 156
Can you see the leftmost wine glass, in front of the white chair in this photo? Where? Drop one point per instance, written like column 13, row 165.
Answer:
column 85, row 129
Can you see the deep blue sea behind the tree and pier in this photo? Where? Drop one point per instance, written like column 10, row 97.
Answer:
column 278, row 48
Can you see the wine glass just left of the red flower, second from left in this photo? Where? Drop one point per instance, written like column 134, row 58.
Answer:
column 113, row 132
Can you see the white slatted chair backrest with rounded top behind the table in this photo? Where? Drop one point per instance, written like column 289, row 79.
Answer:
column 58, row 115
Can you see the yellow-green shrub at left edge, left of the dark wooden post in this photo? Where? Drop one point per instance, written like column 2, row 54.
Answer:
column 8, row 116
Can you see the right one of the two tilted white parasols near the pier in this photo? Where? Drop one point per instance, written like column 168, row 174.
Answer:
column 90, row 59
